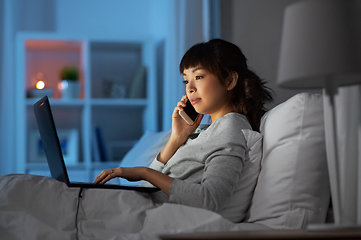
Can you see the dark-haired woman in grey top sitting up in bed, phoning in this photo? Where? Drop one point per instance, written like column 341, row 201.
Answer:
column 206, row 172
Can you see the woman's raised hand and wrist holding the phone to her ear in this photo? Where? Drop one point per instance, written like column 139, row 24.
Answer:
column 180, row 132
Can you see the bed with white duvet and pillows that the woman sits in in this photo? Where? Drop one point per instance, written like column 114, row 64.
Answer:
column 292, row 190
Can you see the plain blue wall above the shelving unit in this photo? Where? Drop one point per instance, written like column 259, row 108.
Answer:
column 136, row 17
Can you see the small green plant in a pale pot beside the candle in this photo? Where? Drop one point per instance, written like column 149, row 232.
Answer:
column 70, row 85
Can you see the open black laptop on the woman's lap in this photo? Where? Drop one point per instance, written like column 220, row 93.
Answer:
column 54, row 155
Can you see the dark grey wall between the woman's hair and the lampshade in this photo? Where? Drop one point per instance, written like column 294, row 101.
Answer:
column 256, row 26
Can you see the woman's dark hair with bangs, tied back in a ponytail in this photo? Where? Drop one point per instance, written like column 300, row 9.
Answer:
column 222, row 59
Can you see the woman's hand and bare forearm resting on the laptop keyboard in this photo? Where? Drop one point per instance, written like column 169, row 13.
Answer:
column 131, row 174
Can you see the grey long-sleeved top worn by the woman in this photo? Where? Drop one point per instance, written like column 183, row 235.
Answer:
column 207, row 169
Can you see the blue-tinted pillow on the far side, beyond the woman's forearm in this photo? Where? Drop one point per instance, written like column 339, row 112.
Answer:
column 144, row 151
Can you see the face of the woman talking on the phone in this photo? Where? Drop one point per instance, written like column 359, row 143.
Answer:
column 206, row 92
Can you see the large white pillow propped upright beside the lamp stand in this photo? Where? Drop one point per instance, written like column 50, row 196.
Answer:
column 293, row 186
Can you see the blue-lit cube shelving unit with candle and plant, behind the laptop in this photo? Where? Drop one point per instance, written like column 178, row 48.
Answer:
column 118, row 96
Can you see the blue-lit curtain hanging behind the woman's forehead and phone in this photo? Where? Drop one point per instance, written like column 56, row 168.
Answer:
column 193, row 21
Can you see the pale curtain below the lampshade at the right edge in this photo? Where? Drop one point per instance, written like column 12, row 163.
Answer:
column 347, row 103
